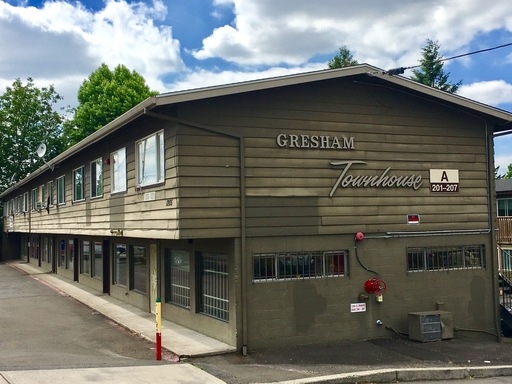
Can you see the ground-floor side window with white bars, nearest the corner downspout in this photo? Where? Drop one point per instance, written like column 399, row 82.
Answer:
column 214, row 292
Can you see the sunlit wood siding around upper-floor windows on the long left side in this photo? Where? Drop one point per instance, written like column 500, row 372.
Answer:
column 126, row 212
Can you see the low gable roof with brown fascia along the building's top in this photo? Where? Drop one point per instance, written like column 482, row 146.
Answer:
column 363, row 72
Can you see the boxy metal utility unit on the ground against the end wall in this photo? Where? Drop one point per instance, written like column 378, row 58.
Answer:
column 430, row 326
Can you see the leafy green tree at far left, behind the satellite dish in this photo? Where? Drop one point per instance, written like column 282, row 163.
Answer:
column 27, row 119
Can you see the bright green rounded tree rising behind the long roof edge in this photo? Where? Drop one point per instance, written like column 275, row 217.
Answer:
column 104, row 96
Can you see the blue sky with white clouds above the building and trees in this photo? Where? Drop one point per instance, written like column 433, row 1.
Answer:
column 185, row 44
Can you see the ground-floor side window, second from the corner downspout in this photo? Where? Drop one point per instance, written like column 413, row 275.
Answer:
column 177, row 268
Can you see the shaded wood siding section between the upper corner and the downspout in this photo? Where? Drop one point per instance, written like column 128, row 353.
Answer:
column 209, row 184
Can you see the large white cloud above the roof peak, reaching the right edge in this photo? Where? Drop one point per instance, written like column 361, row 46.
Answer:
column 380, row 33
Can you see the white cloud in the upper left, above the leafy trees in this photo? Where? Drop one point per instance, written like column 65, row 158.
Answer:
column 62, row 43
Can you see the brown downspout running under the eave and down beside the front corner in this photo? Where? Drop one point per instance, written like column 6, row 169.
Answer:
column 243, row 234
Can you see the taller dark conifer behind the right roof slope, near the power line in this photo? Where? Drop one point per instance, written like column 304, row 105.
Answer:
column 431, row 71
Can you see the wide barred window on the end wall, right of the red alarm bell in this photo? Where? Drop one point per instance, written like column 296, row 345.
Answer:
column 448, row 257
